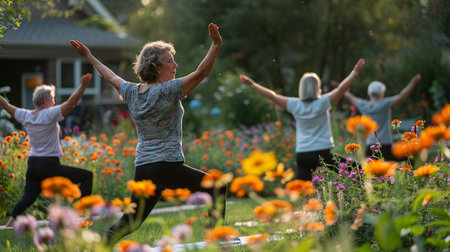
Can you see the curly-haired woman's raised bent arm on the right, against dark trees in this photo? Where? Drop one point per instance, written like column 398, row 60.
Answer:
column 192, row 80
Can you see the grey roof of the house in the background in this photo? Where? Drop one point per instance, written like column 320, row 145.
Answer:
column 57, row 32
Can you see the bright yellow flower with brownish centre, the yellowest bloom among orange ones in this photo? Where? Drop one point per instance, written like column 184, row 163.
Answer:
column 258, row 163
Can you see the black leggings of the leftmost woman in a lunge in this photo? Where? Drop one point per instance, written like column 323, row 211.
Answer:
column 40, row 168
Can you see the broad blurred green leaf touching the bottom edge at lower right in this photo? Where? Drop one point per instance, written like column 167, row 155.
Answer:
column 386, row 233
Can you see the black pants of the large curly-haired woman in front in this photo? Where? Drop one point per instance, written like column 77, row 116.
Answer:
column 164, row 175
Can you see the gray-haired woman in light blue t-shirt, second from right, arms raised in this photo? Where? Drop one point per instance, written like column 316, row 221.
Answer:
column 311, row 113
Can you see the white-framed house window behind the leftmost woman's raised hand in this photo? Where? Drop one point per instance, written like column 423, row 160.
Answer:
column 68, row 79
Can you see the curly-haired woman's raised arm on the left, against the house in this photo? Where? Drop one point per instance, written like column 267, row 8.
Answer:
column 104, row 71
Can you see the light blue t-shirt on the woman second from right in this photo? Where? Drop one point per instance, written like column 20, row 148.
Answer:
column 312, row 119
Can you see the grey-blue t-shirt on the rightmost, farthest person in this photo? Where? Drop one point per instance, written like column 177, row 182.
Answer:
column 380, row 112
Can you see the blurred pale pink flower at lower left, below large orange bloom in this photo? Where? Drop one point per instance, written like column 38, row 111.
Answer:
column 63, row 217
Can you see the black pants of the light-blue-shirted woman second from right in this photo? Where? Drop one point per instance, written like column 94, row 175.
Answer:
column 307, row 162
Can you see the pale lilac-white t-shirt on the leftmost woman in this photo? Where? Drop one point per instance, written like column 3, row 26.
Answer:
column 43, row 130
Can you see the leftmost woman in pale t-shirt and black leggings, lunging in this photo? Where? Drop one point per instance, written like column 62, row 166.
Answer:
column 41, row 125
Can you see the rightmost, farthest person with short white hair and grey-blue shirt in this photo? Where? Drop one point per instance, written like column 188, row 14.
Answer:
column 379, row 109
